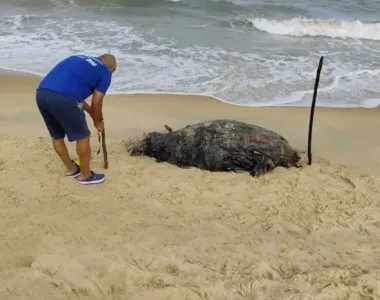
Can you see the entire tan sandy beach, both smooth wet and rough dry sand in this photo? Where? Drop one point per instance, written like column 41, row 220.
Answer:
column 155, row 231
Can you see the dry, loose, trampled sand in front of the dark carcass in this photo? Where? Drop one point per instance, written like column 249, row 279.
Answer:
column 154, row 231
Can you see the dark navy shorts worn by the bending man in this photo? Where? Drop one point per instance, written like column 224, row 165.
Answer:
column 62, row 116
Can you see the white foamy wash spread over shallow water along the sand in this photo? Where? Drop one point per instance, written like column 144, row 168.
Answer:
column 34, row 44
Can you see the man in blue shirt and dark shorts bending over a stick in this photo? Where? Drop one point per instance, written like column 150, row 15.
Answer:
column 60, row 99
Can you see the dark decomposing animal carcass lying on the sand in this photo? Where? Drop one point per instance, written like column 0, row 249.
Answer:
column 220, row 145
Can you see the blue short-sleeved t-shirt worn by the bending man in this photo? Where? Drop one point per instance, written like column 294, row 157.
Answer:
column 76, row 77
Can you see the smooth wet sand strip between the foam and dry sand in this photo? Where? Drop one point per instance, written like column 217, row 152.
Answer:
column 338, row 133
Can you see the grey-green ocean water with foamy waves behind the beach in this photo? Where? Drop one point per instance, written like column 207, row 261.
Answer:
column 244, row 52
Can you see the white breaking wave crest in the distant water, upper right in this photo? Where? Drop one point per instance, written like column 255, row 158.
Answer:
column 315, row 27
